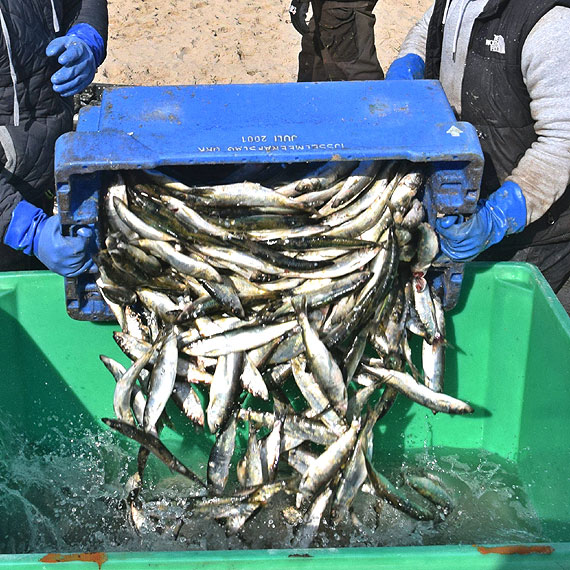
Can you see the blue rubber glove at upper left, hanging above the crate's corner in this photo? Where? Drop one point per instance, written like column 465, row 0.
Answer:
column 79, row 52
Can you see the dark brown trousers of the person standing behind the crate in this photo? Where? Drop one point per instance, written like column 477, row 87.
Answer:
column 340, row 43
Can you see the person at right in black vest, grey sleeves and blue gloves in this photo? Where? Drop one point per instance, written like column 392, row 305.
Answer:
column 504, row 67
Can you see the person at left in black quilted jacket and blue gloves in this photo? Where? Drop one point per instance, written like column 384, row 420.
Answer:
column 49, row 51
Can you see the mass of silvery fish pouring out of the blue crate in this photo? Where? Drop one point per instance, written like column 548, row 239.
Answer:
column 276, row 304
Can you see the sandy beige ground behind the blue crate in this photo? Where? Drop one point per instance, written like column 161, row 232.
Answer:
column 176, row 42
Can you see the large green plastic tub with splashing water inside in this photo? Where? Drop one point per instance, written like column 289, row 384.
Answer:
column 509, row 356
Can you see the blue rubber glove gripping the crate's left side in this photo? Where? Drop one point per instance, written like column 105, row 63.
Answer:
column 33, row 232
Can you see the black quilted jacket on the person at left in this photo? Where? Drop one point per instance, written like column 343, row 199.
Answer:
column 26, row 149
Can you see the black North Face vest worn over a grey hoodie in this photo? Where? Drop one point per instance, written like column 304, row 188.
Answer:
column 494, row 99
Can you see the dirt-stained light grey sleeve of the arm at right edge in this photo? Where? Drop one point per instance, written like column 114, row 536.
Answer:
column 543, row 173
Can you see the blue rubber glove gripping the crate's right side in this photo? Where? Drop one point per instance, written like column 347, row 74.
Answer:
column 503, row 213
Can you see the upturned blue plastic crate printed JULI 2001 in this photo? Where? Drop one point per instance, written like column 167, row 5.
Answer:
column 152, row 127
